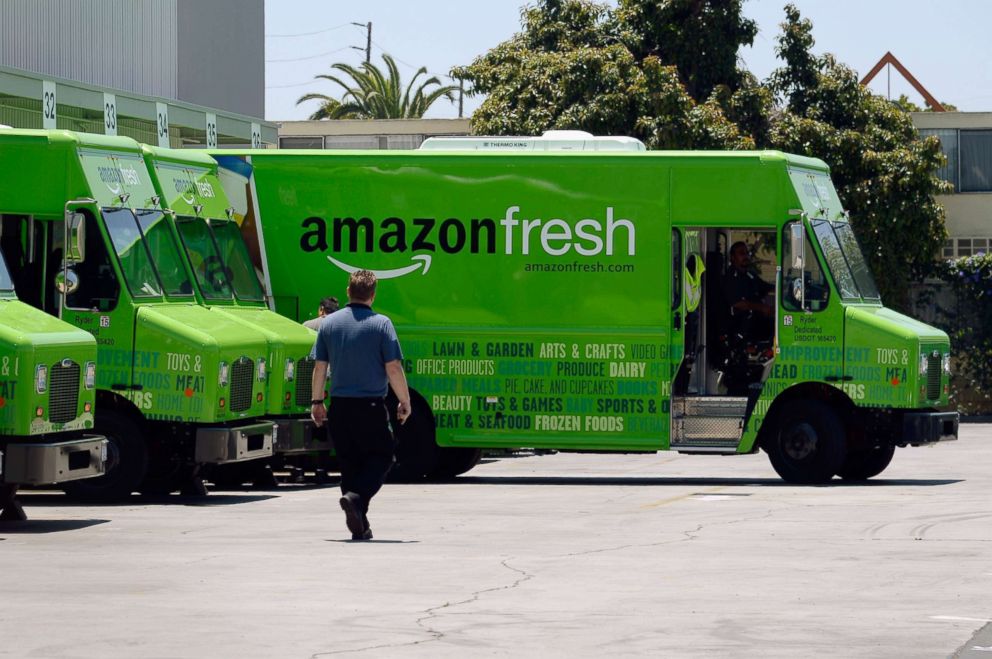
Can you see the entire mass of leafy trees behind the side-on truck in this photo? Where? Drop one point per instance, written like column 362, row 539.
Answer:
column 667, row 72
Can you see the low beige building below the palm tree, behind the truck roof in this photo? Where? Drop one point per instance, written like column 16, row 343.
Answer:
column 366, row 134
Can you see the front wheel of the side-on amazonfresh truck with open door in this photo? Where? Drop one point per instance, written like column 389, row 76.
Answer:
column 810, row 444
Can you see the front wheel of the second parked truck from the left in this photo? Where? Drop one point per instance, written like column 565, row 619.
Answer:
column 127, row 461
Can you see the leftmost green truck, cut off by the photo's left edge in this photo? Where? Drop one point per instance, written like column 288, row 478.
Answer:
column 47, row 394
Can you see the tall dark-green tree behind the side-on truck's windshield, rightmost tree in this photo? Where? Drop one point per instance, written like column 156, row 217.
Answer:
column 884, row 173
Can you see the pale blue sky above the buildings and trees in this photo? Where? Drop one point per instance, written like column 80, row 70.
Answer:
column 945, row 45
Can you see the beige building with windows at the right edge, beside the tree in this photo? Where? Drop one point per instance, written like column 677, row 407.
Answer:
column 966, row 138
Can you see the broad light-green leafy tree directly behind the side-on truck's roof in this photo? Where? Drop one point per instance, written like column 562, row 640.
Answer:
column 569, row 68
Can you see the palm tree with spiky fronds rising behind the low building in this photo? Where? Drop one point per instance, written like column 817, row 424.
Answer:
column 372, row 95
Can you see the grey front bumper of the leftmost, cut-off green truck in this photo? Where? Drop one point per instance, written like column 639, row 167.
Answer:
column 36, row 463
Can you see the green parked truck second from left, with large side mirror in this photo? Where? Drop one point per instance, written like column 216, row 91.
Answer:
column 177, row 386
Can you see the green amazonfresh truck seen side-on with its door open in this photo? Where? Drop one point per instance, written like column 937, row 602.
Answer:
column 582, row 297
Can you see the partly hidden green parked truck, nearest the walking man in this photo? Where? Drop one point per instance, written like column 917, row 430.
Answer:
column 225, row 282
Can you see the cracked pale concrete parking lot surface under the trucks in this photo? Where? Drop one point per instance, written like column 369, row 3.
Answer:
column 554, row 555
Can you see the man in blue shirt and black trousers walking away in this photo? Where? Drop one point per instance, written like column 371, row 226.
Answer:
column 362, row 348
